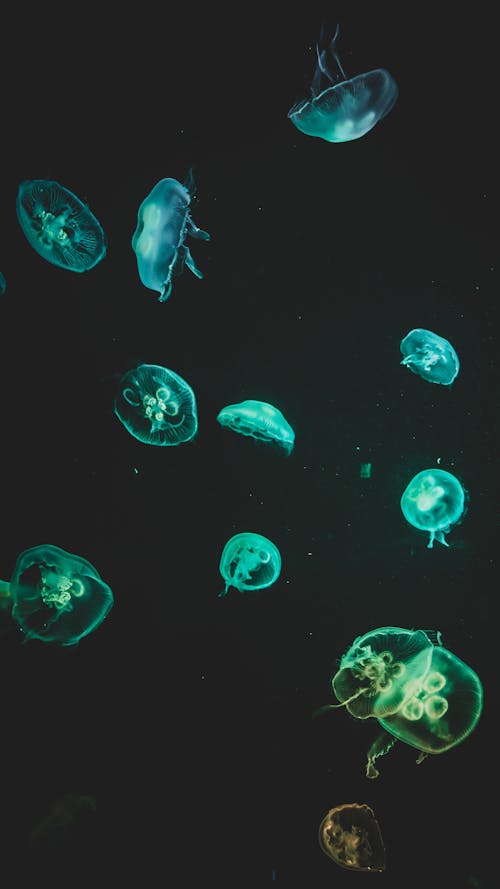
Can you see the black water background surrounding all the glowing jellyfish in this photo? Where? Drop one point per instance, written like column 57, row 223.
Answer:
column 186, row 716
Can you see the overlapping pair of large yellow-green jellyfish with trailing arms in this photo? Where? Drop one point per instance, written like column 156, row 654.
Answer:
column 418, row 691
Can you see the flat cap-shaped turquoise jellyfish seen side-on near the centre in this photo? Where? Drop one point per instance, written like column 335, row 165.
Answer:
column 259, row 420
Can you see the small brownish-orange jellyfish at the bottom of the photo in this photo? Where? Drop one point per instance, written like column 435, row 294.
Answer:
column 350, row 835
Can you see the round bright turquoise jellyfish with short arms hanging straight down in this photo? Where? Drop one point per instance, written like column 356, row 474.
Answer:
column 433, row 501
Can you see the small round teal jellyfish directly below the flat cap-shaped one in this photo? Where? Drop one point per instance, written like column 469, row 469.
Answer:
column 249, row 561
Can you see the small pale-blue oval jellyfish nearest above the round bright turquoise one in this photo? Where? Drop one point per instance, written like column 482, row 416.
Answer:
column 430, row 356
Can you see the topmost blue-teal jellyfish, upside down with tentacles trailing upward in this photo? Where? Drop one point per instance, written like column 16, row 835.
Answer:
column 340, row 108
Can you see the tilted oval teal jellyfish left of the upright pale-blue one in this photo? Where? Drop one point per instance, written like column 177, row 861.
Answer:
column 59, row 226
